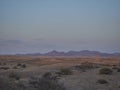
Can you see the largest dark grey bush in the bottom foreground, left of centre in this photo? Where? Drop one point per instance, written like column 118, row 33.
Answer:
column 48, row 83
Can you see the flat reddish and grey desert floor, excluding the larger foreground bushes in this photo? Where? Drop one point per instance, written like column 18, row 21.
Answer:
column 85, row 70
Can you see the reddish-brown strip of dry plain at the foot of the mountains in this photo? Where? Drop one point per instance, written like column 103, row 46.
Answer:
column 64, row 60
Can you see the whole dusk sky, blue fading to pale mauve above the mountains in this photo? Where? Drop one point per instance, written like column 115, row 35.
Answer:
column 29, row 26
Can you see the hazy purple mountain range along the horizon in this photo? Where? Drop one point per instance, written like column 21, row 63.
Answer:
column 73, row 53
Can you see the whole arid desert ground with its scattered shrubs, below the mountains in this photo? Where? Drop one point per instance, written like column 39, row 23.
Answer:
column 72, row 73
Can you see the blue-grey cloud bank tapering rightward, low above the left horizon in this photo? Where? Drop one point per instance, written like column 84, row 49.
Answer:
column 20, row 46
